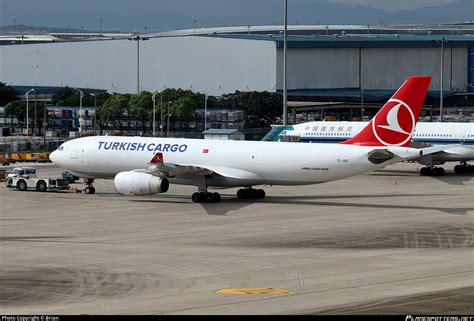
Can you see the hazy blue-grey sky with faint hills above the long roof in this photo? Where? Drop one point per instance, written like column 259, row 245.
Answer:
column 158, row 15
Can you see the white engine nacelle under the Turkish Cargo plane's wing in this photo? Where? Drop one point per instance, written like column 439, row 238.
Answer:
column 136, row 183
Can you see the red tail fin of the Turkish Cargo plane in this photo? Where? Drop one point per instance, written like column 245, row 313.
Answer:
column 395, row 123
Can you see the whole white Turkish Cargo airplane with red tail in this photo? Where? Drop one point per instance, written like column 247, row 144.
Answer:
column 141, row 166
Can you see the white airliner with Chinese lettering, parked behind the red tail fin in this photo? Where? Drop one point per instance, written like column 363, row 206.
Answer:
column 425, row 135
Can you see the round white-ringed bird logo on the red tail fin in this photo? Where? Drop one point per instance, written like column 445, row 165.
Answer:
column 395, row 124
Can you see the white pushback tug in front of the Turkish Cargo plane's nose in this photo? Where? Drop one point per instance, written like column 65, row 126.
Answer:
column 42, row 184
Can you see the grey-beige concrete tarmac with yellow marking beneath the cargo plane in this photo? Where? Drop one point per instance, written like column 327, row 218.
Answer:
column 387, row 242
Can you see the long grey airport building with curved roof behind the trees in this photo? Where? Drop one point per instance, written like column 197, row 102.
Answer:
column 356, row 64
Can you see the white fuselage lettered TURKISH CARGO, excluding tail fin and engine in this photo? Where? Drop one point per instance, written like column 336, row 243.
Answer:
column 265, row 162
